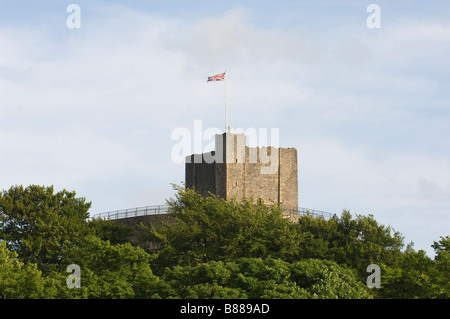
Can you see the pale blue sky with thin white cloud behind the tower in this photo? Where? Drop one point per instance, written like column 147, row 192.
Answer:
column 93, row 109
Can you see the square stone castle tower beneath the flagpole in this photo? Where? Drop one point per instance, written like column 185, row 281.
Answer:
column 235, row 169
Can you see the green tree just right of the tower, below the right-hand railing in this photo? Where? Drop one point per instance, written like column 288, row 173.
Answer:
column 355, row 242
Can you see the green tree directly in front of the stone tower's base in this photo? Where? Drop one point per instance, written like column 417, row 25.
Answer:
column 211, row 228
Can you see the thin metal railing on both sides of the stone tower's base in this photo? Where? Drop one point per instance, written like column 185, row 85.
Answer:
column 164, row 209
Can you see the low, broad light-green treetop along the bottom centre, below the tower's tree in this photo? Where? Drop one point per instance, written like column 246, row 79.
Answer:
column 261, row 278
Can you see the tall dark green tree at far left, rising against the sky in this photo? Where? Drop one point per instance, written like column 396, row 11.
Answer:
column 39, row 224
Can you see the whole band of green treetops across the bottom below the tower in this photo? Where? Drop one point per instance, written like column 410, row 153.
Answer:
column 214, row 249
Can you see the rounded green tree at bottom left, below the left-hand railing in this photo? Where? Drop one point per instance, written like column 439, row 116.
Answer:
column 107, row 271
